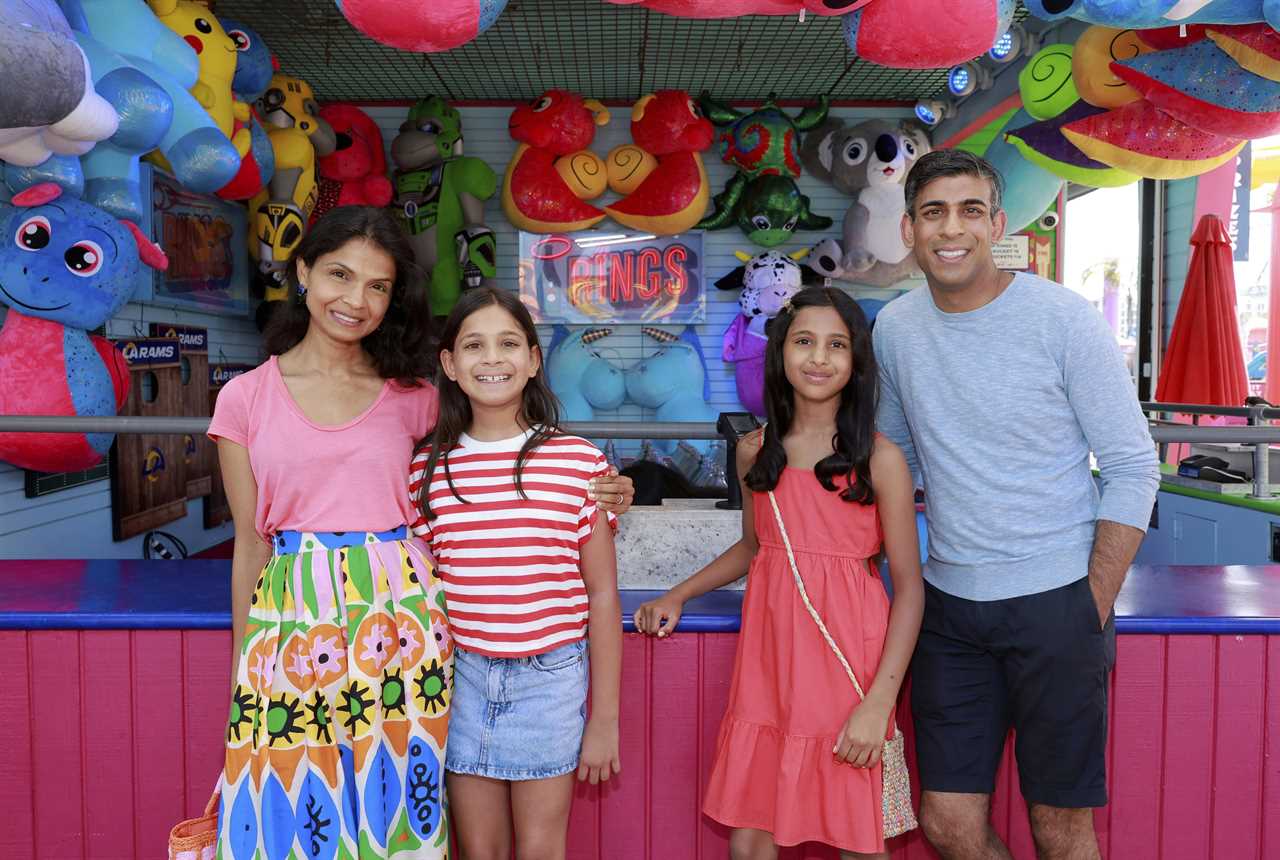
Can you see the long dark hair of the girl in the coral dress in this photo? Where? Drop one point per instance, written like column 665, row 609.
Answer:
column 856, row 418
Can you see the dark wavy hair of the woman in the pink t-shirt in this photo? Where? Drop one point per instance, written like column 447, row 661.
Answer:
column 401, row 347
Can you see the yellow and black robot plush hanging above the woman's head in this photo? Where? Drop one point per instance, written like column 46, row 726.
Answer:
column 280, row 214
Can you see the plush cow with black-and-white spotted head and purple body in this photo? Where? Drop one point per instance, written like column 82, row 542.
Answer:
column 767, row 282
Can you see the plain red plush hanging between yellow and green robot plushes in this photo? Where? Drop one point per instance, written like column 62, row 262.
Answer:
column 355, row 173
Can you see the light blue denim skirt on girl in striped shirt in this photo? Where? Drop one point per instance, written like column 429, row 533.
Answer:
column 518, row 717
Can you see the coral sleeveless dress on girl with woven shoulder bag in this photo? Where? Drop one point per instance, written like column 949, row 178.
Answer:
column 790, row 698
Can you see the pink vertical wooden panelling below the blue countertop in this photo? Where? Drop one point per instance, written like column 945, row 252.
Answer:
column 112, row 737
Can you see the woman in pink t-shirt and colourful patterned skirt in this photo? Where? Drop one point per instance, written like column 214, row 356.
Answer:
column 344, row 661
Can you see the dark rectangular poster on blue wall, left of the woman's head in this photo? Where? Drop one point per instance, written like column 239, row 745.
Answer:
column 205, row 240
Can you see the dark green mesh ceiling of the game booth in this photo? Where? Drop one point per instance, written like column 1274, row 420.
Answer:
column 591, row 47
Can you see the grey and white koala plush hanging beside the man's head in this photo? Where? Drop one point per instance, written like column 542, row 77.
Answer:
column 868, row 162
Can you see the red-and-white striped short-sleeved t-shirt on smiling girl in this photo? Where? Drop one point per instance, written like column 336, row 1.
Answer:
column 510, row 565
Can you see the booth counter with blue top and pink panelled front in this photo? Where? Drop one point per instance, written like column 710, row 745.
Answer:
column 116, row 698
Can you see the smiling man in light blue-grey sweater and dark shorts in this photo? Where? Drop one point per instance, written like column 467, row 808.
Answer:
column 998, row 388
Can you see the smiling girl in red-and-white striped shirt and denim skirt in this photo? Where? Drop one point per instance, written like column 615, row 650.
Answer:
column 531, row 580
